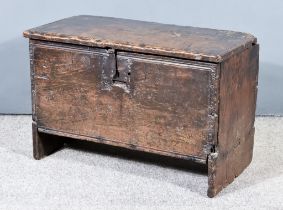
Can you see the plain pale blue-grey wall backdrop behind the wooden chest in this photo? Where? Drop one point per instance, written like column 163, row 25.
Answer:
column 264, row 19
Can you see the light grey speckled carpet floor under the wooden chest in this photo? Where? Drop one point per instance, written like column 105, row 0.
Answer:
column 76, row 179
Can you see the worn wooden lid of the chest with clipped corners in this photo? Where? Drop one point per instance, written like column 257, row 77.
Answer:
column 145, row 37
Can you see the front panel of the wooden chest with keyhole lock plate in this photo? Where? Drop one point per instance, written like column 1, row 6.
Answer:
column 161, row 104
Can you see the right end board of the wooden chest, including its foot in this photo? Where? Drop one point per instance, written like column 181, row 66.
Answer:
column 238, row 91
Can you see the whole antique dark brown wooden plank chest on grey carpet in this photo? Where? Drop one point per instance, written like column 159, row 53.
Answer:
column 177, row 91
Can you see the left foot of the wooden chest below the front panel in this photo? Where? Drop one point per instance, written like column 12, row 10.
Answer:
column 43, row 144
